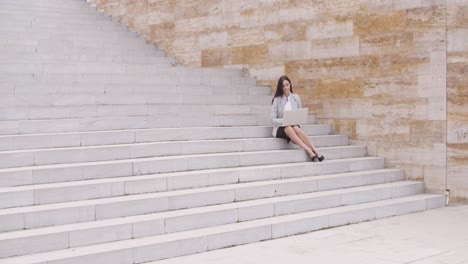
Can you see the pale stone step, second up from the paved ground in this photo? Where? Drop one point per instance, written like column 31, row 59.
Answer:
column 83, row 234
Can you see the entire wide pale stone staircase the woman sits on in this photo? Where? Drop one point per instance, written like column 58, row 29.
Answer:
column 111, row 153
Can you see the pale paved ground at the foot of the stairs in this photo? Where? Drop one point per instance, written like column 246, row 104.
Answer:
column 436, row 236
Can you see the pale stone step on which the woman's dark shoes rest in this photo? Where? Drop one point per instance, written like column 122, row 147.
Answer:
column 144, row 166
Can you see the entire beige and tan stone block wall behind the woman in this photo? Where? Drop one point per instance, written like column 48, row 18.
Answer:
column 376, row 70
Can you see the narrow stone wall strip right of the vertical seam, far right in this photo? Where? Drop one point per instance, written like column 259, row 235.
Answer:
column 457, row 100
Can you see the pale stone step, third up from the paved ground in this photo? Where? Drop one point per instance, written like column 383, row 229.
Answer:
column 43, row 215
